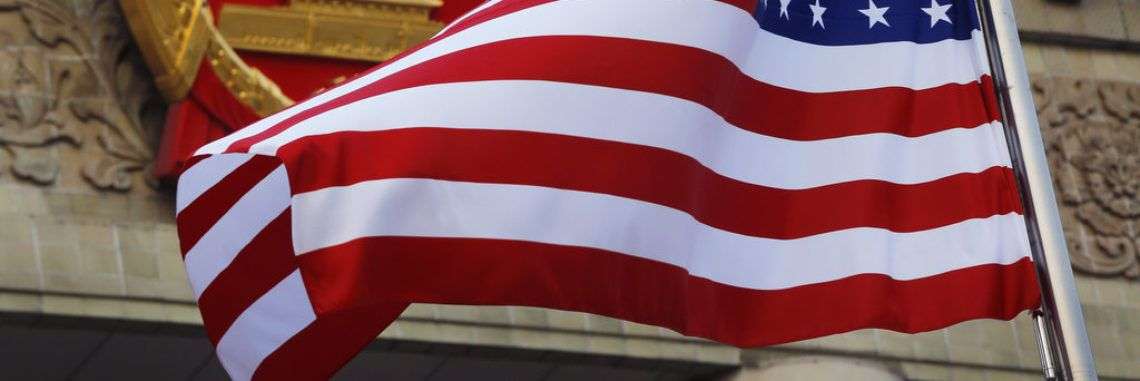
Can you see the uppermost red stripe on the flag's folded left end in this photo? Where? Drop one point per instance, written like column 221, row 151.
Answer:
column 201, row 215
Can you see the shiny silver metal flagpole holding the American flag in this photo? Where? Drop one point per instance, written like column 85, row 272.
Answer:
column 1065, row 352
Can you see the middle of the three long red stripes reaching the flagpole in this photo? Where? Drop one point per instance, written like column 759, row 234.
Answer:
column 677, row 181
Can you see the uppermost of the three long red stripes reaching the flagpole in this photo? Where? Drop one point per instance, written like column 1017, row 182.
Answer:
column 694, row 75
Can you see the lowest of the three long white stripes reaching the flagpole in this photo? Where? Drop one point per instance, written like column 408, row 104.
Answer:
column 446, row 209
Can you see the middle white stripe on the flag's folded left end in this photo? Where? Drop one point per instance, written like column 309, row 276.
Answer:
column 226, row 239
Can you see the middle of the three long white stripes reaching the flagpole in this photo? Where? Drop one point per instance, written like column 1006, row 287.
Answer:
column 664, row 123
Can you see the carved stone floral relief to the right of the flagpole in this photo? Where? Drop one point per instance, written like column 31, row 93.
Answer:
column 1093, row 132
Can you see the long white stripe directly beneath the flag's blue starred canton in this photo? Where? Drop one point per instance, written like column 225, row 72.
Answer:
column 711, row 26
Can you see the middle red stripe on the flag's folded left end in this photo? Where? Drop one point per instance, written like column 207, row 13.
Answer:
column 258, row 267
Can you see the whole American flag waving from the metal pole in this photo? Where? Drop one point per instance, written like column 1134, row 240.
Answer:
column 748, row 173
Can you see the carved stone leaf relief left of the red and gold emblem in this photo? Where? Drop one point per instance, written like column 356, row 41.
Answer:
column 70, row 82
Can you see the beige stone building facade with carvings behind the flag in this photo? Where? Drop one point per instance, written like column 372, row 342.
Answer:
column 92, row 285
